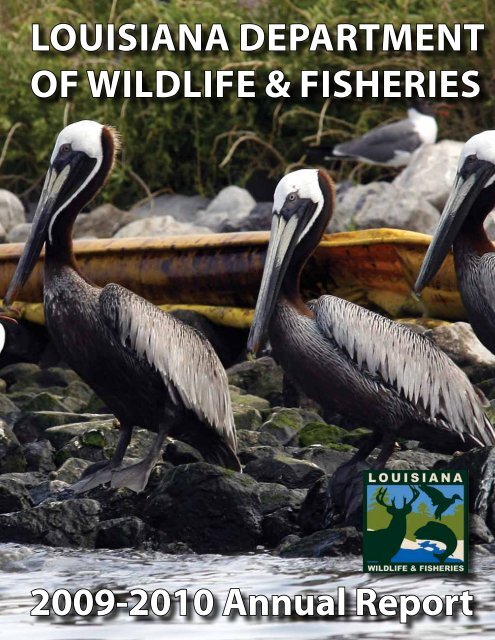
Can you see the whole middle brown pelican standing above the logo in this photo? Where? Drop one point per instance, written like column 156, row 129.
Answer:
column 347, row 358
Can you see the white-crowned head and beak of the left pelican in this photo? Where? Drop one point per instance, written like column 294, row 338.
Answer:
column 81, row 160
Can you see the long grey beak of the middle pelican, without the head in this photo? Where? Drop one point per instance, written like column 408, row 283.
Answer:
column 284, row 235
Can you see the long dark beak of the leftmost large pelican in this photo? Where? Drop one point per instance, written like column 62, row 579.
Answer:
column 52, row 188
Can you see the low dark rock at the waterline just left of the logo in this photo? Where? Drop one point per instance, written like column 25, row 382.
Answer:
column 329, row 542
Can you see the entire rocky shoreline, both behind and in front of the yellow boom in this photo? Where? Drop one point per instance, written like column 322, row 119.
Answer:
column 53, row 426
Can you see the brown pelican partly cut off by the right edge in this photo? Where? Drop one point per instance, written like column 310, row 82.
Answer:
column 461, row 225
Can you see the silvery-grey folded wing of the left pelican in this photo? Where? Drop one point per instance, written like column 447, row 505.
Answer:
column 184, row 358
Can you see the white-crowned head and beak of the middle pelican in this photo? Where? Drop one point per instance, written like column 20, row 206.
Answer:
column 300, row 217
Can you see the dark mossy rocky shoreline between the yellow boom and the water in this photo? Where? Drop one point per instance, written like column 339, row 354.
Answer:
column 54, row 426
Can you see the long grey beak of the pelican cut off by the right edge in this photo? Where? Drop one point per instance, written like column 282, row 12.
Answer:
column 461, row 200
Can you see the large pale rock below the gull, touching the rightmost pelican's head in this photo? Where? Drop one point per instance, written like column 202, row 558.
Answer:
column 431, row 172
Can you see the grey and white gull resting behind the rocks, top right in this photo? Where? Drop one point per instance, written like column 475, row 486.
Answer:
column 391, row 144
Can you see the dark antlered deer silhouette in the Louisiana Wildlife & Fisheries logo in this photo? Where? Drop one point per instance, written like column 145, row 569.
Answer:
column 383, row 544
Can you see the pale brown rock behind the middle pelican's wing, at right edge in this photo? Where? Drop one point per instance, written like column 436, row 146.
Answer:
column 460, row 343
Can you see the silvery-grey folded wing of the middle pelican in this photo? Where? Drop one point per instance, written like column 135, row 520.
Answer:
column 402, row 358
